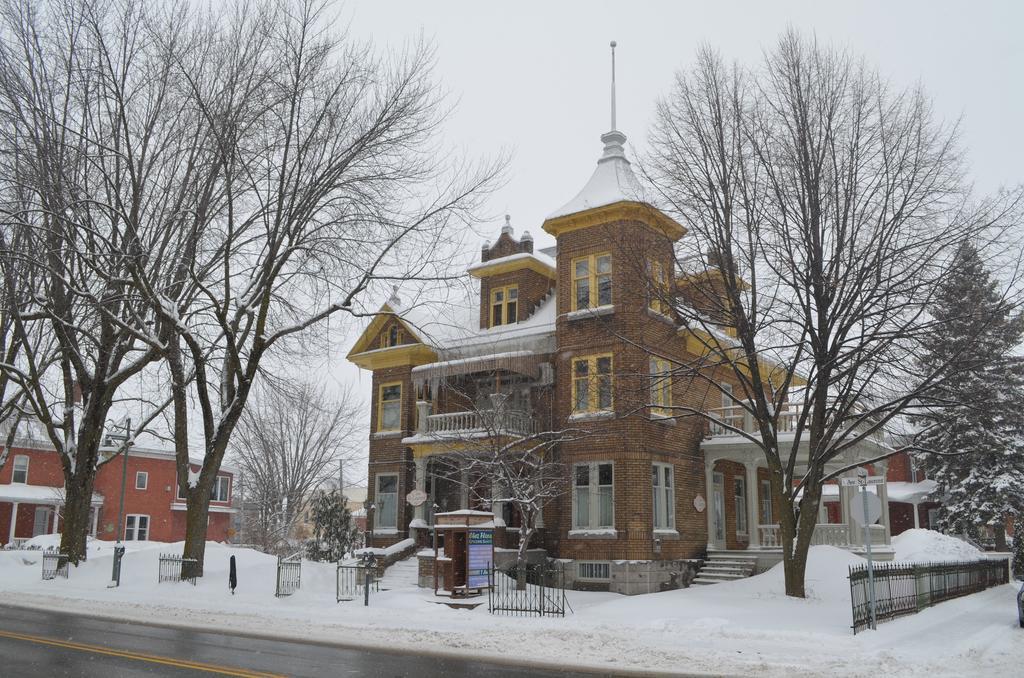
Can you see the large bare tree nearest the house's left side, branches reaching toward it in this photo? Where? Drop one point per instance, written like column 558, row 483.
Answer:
column 330, row 184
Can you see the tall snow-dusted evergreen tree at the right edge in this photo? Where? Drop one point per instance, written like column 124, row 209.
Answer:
column 975, row 451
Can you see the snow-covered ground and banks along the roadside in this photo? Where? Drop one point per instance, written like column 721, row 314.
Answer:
column 746, row 627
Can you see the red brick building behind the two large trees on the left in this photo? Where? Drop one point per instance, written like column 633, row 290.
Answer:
column 31, row 496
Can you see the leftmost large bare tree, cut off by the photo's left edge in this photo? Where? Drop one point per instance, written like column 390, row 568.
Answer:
column 102, row 168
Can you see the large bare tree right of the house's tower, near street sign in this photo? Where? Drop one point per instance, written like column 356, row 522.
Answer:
column 823, row 208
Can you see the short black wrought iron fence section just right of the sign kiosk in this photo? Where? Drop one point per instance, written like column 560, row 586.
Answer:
column 539, row 592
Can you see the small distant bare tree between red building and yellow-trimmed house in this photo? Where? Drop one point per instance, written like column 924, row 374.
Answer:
column 289, row 442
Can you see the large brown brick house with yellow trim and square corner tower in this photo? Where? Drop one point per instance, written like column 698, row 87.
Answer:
column 567, row 335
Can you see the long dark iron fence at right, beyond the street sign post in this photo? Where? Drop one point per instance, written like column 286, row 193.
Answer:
column 907, row 589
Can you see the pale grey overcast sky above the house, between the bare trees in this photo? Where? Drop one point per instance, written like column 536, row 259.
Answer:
column 534, row 77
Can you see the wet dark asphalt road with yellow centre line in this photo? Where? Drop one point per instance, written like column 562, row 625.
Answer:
column 45, row 645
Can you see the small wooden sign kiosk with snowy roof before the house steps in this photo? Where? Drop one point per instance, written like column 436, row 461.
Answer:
column 464, row 569
